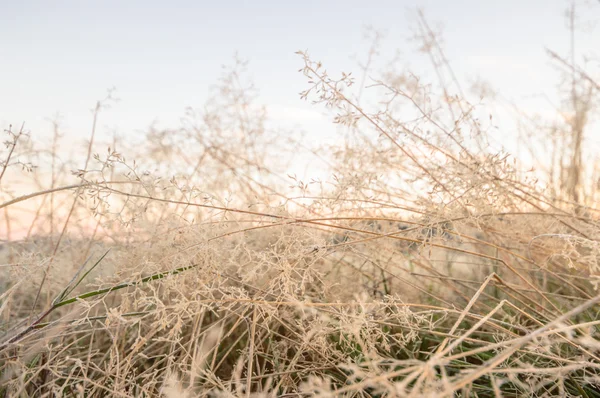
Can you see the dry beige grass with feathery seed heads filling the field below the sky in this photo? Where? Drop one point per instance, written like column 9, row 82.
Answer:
column 430, row 264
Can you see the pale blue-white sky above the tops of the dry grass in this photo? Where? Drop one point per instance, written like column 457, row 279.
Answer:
column 61, row 56
